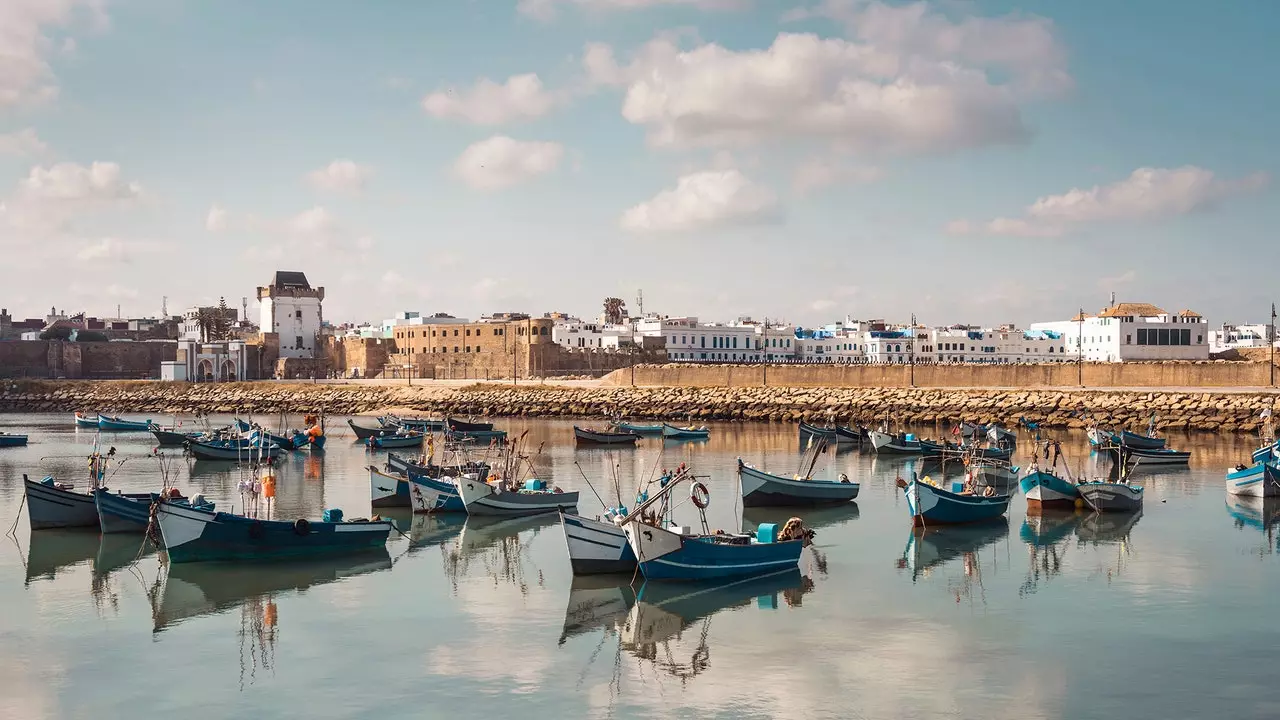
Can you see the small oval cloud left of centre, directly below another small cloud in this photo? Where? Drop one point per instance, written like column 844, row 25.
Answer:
column 487, row 103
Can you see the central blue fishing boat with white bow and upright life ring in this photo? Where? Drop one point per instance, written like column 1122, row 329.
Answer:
column 678, row 554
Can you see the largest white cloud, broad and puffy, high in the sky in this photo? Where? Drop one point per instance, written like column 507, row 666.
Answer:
column 808, row 89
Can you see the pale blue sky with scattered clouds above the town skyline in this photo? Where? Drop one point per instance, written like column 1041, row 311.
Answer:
column 964, row 162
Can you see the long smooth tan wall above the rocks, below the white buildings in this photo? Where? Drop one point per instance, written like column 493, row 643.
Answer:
column 1063, row 375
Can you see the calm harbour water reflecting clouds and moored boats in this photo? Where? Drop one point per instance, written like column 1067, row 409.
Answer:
column 1069, row 617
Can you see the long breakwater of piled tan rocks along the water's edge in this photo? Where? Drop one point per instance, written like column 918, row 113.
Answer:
column 1050, row 408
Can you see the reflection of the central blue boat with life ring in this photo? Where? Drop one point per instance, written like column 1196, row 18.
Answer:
column 657, row 623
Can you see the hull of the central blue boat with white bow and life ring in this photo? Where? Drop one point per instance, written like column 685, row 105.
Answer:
column 665, row 555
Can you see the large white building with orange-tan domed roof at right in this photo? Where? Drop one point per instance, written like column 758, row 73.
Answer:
column 1133, row 331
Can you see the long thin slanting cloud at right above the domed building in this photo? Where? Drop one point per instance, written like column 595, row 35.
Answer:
column 1148, row 194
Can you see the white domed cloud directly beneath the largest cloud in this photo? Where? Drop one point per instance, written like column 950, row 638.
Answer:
column 703, row 200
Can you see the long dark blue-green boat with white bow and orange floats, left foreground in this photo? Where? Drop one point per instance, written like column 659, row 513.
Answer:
column 193, row 536
